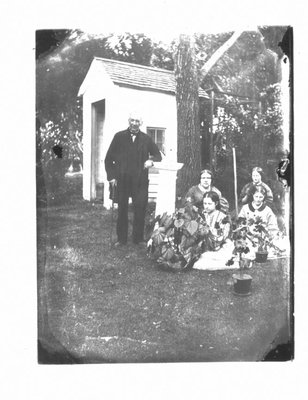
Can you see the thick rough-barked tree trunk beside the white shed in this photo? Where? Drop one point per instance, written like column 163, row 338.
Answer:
column 187, row 86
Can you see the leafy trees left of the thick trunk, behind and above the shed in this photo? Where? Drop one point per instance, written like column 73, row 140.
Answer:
column 61, row 70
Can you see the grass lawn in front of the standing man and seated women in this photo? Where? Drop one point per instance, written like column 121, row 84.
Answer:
column 115, row 305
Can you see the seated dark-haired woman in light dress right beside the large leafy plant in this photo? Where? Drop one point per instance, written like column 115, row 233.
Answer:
column 218, row 246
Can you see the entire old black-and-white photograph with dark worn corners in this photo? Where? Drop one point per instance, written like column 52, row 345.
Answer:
column 164, row 178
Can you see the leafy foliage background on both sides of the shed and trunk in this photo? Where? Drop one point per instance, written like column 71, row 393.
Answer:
column 250, row 121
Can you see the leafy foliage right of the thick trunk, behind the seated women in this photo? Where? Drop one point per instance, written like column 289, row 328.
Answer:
column 250, row 118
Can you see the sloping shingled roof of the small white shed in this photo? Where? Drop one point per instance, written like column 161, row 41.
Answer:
column 140, row 76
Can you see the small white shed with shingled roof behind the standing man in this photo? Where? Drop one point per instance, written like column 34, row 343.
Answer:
column 110, row 90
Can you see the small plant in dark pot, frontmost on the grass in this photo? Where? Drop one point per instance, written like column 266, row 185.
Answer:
column 240, row 236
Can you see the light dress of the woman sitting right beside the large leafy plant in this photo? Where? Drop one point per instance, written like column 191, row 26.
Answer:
column 215, row 260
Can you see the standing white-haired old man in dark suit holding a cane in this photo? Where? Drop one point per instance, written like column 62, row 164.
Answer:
column 130, row 155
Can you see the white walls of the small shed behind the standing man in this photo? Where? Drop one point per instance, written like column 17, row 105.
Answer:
column 157, row 110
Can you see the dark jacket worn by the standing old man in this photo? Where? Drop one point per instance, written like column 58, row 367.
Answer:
column 125, row 157
